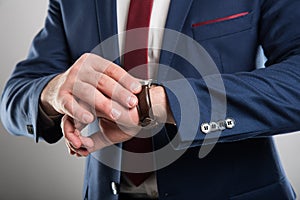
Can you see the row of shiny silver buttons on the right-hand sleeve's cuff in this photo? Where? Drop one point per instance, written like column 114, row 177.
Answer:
column 228, row 123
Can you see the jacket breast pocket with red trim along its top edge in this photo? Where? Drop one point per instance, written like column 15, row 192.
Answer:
column 219, row 27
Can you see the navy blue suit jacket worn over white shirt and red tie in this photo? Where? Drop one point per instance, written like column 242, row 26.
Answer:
column 263, row 102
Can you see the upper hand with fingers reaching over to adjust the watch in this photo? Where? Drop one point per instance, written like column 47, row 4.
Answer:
column 92, row 87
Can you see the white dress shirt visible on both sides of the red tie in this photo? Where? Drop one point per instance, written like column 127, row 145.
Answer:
column 157, row 22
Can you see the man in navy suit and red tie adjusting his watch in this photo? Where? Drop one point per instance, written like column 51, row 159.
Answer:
column 59, row 79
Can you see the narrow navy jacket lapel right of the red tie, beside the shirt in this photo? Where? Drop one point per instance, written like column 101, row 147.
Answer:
column 178, row 12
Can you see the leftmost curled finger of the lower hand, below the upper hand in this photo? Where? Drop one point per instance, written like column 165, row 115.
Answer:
column 70, row 133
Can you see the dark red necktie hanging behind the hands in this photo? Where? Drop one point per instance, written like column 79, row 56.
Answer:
column 138, row 17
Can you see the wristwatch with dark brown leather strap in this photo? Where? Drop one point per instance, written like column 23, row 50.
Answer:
column 144, row 107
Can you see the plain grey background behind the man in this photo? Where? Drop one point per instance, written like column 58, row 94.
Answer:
column 43, row 171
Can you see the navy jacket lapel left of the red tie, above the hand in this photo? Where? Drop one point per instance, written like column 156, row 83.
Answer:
column 108, row 29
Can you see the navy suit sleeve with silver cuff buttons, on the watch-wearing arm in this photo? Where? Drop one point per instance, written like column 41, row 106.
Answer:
column 262, row 103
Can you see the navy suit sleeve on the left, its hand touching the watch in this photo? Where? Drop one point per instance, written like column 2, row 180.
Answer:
column 48, row 57
